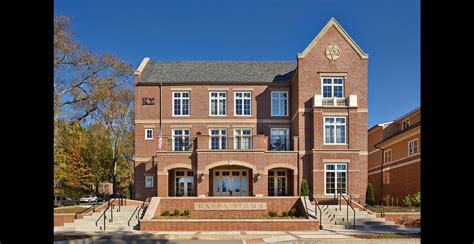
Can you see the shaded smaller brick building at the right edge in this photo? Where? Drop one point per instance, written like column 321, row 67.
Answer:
column 394, row 158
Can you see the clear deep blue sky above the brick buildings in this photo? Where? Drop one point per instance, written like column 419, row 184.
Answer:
column 250, row 30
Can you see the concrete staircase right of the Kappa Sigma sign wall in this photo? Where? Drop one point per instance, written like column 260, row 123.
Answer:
column 336, row 219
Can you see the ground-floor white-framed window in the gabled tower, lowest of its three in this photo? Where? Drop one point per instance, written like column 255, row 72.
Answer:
column 335, row 178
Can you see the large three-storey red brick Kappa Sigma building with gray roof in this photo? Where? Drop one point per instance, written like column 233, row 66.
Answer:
column 254, row 128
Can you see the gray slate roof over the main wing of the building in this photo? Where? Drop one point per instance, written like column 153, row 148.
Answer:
column 217, row 71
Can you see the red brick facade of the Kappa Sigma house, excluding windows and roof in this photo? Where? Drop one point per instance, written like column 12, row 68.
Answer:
column 306, row 154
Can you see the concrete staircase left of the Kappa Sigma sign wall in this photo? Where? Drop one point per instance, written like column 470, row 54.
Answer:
column 119, row 223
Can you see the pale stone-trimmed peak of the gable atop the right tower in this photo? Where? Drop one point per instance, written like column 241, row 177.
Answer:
column 333, row 23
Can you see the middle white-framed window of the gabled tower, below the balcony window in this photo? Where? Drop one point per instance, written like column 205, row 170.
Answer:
column 335, row 130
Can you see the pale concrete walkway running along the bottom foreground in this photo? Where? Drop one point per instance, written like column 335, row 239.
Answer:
column 247, row 237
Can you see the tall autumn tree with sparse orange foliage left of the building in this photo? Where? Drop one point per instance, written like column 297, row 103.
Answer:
column 93, row 114
